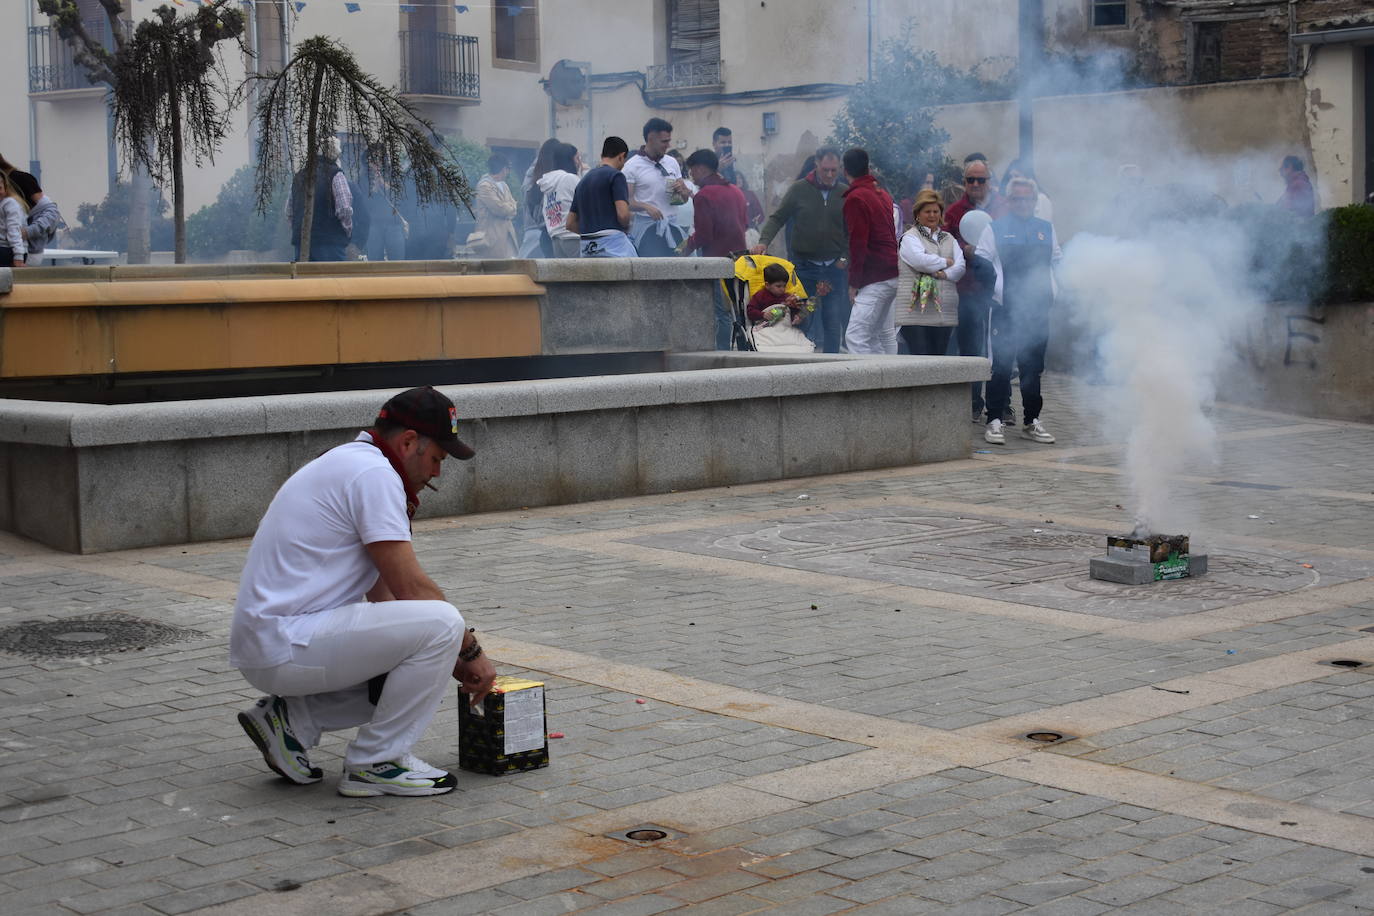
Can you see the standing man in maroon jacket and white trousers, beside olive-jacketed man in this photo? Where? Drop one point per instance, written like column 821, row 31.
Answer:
column 873, row 260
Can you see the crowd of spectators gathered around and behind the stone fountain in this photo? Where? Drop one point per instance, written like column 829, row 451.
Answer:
column 973, row 266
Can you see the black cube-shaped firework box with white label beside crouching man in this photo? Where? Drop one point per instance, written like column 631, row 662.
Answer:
column 508, row 734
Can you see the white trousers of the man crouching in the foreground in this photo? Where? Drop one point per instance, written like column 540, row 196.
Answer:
column 325, row 685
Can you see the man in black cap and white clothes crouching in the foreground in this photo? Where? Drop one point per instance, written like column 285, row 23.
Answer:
column 337, row 621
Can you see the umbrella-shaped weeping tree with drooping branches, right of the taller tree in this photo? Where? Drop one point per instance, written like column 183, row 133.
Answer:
column 322, row 90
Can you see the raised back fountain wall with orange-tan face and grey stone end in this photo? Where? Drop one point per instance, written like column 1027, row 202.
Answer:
column 105, row 321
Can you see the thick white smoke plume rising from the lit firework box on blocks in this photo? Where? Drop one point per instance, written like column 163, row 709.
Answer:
column 1158, row 292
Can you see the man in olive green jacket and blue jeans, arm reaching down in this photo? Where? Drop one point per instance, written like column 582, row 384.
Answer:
column 815, row 207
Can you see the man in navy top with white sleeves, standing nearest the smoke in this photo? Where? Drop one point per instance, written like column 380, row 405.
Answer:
column 1024, row 251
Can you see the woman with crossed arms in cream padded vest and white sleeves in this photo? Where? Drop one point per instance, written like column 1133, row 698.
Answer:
column 930, row 264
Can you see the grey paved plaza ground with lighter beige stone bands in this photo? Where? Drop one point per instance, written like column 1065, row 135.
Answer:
column 818, row 689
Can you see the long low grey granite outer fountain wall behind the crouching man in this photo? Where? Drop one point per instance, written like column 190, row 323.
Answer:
column 90, row 479
